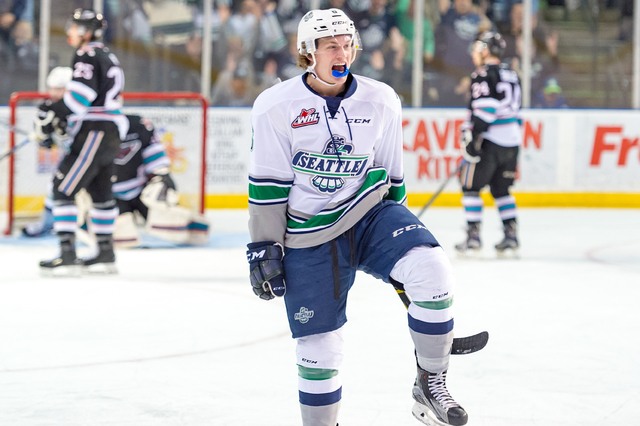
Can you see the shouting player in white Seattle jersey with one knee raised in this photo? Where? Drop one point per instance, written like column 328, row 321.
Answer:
column 326, row 199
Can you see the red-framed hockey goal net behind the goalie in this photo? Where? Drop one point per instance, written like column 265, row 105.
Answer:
column 180, row 119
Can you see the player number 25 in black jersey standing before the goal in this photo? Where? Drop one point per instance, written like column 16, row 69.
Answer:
column 92, row 104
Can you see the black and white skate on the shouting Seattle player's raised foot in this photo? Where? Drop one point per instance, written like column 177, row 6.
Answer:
column 434, row 406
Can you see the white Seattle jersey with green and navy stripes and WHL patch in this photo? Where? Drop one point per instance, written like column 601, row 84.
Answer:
column 318, row 164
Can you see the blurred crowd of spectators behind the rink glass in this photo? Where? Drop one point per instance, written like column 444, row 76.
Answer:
column 253, row 44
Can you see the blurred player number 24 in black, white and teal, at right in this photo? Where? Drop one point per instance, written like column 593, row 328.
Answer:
column 491, row 140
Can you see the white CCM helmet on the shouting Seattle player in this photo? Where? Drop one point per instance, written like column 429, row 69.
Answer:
column 317, row 24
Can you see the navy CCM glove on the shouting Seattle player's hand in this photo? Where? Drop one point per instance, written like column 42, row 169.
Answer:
column 266, row 270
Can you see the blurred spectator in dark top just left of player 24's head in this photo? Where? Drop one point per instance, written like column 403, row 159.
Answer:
column 458, row 28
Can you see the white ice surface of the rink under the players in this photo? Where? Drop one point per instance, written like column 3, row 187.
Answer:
column 178, row 338
